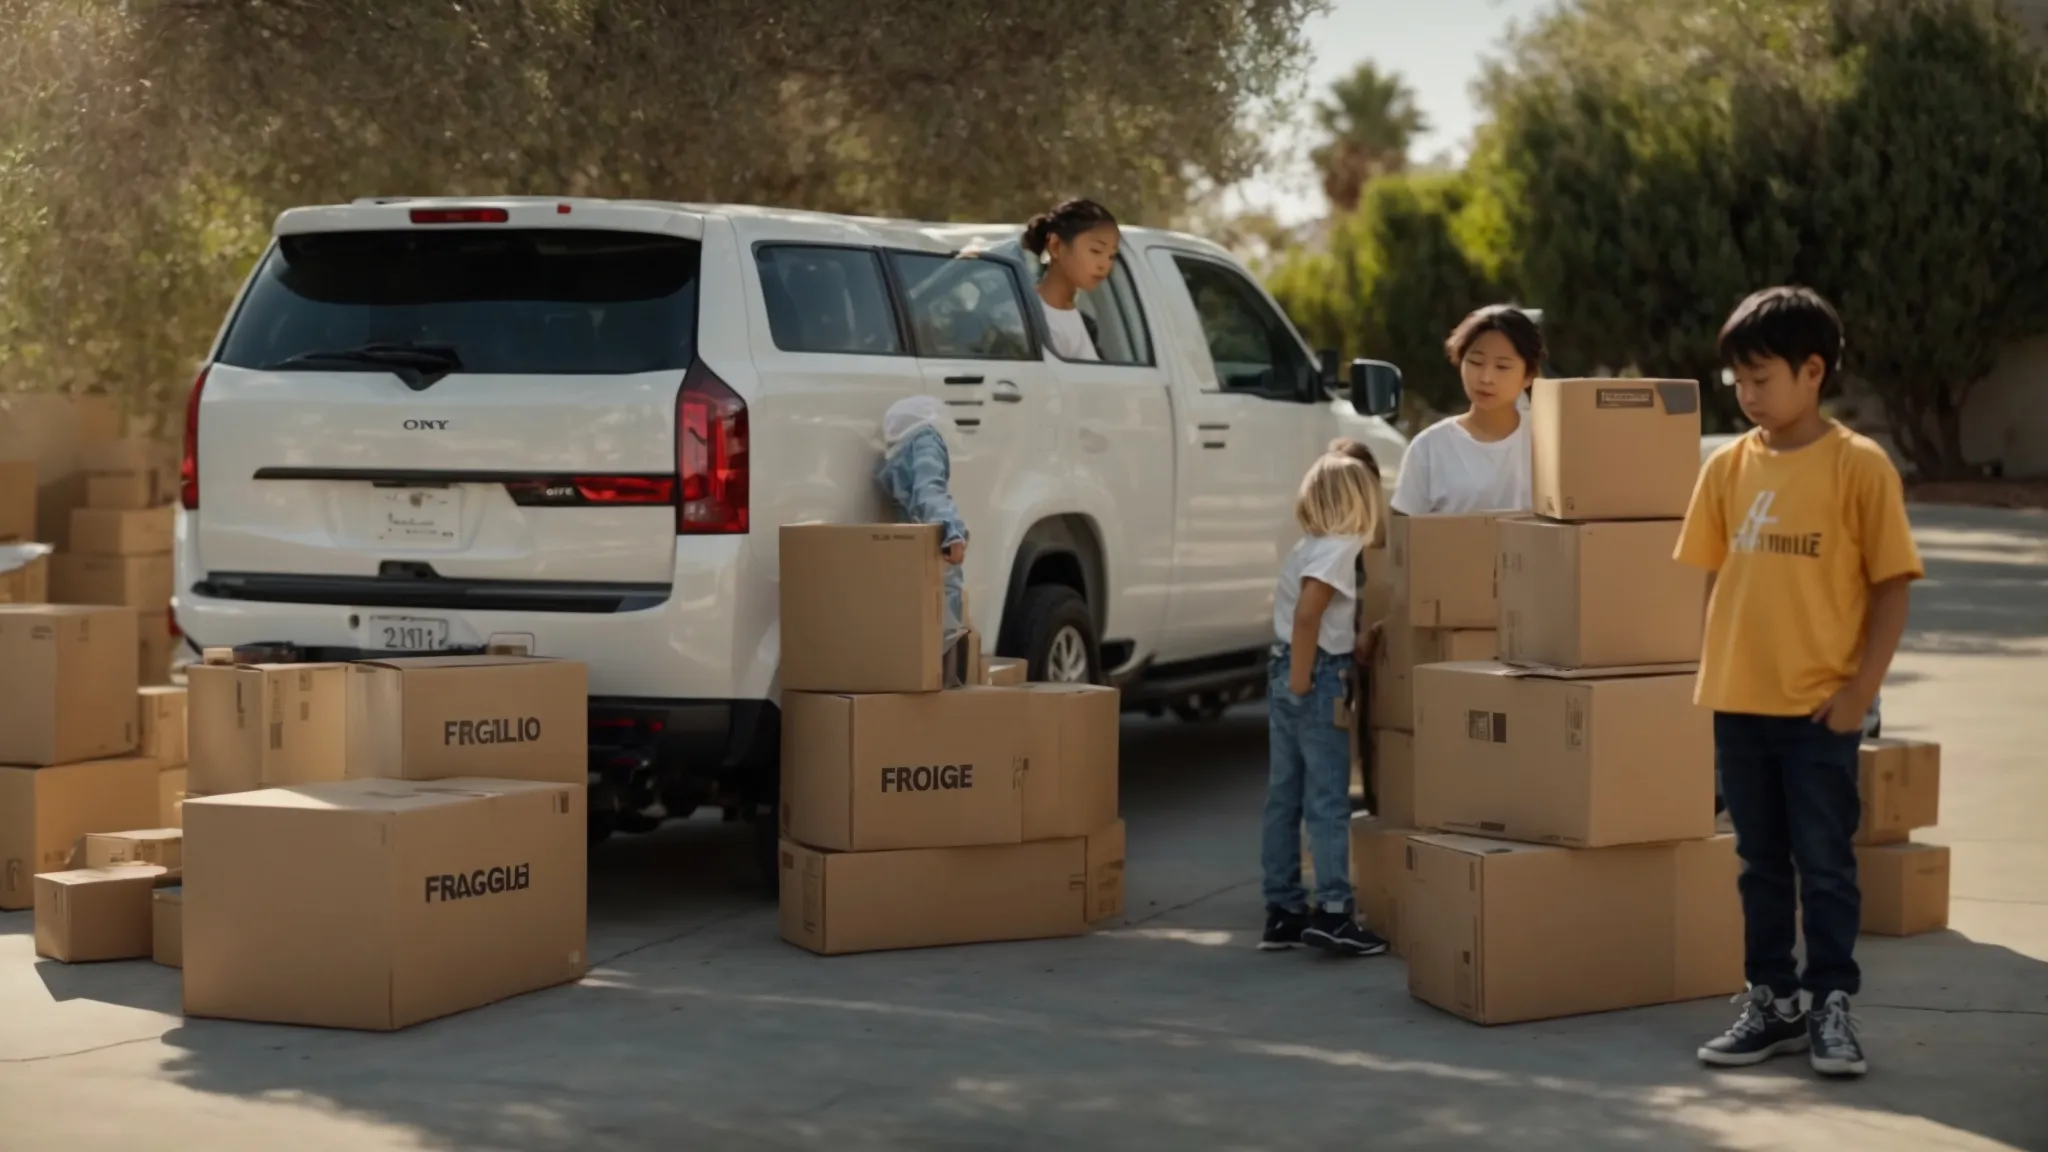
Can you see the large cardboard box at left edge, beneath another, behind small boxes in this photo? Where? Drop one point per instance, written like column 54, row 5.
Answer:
column 46, row 811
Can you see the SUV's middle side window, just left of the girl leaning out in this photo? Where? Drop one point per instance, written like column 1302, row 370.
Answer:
column 964, row 308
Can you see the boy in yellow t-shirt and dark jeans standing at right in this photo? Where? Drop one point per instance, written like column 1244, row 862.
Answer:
column 1805, row 532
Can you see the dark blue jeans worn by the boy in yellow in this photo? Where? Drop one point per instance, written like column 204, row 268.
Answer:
column 1793, row 796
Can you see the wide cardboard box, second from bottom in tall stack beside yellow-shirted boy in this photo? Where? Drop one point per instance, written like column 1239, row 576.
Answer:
column 1564, row 762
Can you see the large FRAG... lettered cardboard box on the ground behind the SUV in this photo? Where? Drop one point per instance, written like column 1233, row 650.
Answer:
column 378, row 905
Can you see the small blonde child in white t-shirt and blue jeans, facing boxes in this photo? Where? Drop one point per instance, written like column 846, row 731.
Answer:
column 1316, row 630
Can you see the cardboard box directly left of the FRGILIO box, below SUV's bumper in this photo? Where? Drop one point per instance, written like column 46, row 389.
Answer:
column 265, row 725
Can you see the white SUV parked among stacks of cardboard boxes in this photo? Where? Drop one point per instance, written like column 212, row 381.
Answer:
column 574, row 427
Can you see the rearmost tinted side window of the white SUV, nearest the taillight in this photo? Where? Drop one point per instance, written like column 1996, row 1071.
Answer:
column 828, row 300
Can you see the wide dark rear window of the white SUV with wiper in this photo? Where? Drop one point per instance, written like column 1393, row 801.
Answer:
column 529, row 302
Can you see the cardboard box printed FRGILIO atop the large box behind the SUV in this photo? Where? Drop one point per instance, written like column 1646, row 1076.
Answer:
column 521, row 718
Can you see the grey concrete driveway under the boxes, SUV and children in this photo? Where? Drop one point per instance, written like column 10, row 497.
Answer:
column 699, row 1030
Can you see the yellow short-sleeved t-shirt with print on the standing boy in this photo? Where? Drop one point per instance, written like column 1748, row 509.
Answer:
column 1797, row 540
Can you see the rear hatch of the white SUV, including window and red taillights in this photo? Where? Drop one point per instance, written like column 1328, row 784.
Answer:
column 484, row 395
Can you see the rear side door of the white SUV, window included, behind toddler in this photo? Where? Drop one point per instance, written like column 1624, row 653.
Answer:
column 982, row 358
